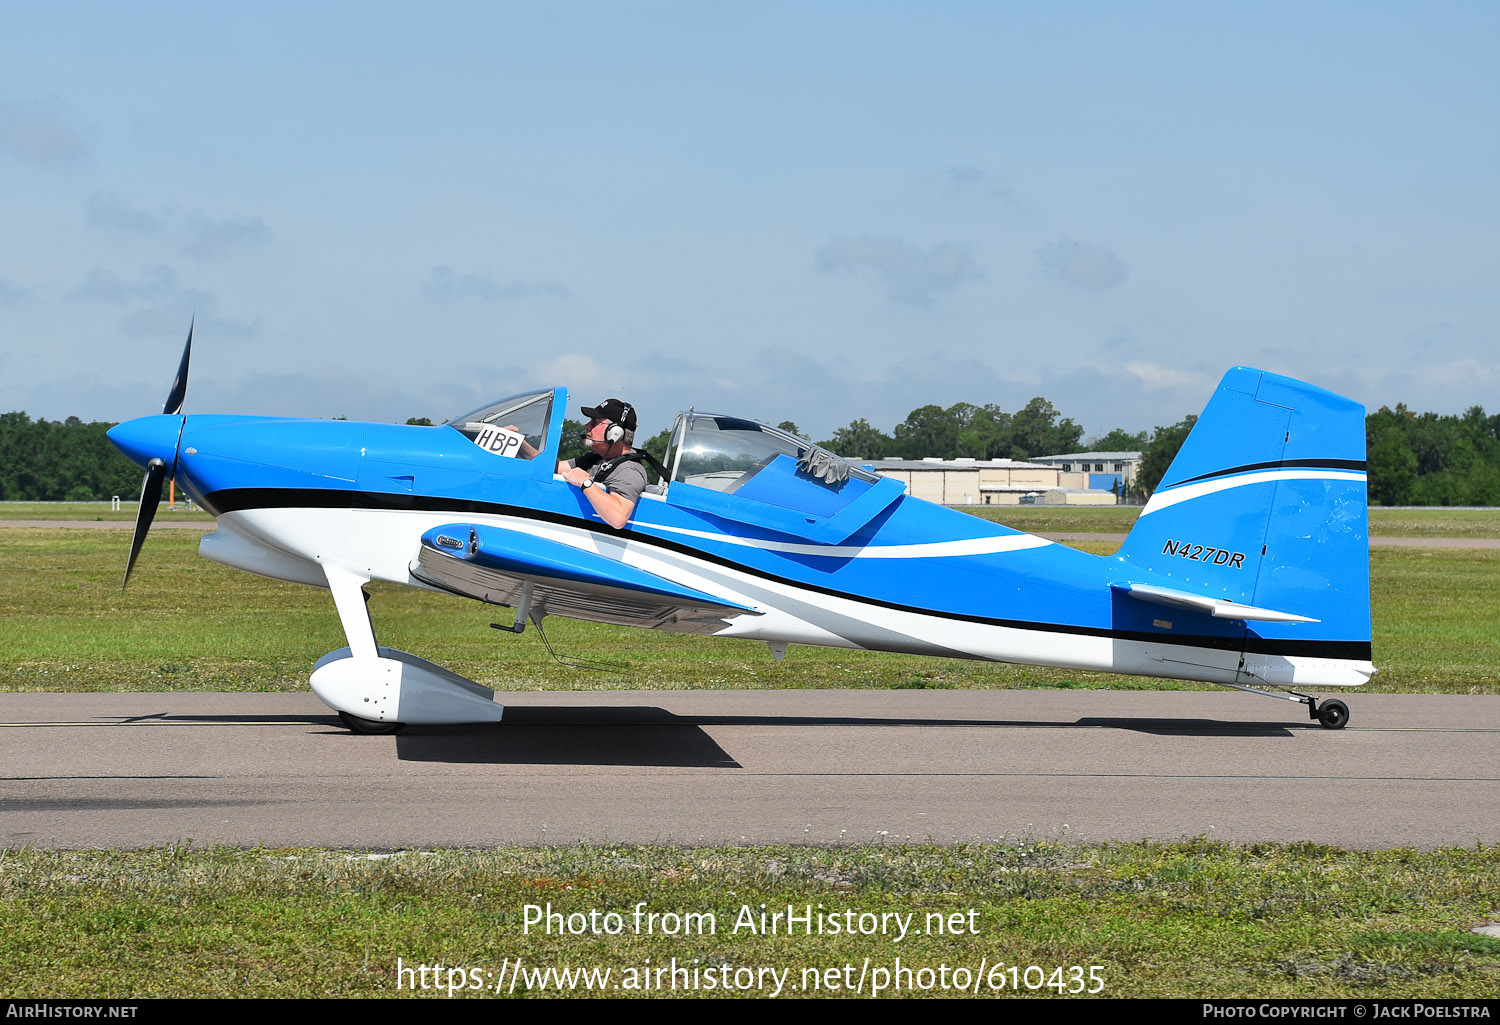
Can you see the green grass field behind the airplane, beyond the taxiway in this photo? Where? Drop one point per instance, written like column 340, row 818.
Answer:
column 188, row 624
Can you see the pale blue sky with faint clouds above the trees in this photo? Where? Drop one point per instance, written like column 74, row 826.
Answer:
column 809, row 212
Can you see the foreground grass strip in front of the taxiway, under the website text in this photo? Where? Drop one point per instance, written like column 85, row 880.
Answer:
column 1192, row 919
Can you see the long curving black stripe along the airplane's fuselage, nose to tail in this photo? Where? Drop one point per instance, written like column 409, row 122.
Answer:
column 244, row 499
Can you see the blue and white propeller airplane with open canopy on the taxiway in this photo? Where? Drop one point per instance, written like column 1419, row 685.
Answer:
column 1249, row 568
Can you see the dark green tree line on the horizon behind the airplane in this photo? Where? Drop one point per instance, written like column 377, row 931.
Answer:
column 1415, row 458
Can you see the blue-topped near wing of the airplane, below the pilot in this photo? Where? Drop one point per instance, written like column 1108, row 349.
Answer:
column 494, row 564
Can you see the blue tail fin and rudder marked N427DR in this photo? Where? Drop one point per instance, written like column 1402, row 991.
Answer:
column 1267, row 506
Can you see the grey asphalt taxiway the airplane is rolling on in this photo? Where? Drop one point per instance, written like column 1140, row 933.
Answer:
column 83, row 771
